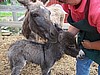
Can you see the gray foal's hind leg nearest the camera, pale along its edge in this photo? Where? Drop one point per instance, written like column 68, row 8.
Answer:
column 17, row 66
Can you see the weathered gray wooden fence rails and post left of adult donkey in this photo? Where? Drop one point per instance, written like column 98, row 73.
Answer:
column 17, row 22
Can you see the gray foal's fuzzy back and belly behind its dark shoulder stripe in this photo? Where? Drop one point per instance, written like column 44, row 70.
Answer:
column 25, row 50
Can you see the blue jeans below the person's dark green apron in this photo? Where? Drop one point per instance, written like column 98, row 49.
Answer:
column 83, row 66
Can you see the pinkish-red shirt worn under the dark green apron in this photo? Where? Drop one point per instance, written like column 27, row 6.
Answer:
column 93, row 15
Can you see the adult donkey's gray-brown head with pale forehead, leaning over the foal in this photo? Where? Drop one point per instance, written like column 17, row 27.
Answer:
column 37, row 20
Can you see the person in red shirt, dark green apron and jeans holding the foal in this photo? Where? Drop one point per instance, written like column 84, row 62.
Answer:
column 84, row 20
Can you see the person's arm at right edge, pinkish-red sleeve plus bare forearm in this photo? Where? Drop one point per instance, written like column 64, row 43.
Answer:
column 94, row 19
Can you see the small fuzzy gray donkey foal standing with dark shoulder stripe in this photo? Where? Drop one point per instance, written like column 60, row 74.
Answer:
column 44, row 55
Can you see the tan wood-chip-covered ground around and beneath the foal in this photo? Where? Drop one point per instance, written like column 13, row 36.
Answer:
column 65, row 66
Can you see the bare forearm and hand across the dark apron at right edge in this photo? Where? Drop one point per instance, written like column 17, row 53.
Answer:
column 91, row 45
